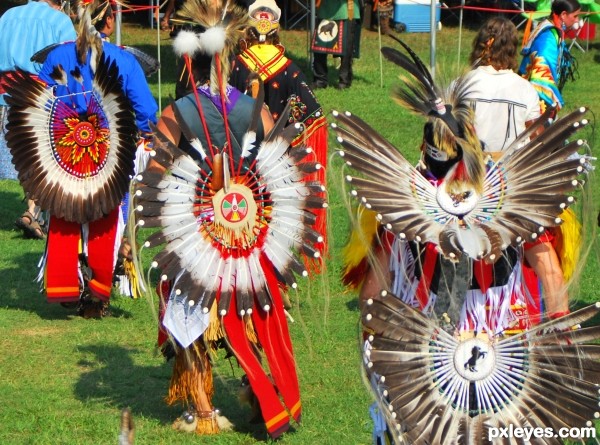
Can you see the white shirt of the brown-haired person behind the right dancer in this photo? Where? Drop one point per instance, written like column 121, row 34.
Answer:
column 503, row 101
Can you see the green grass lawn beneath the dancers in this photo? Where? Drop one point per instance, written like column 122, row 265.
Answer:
column 64, row 380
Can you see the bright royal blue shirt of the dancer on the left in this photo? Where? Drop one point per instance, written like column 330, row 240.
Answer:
column 135, row 86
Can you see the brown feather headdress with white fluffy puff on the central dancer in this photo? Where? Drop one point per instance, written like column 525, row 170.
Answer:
column 224, row 23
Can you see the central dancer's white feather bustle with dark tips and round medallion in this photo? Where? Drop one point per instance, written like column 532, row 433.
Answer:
column 207, row 254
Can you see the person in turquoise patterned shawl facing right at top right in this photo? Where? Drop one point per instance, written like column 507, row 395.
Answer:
column 547, row 62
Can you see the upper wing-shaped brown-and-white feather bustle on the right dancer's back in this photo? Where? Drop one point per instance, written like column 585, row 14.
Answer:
column 518, row 197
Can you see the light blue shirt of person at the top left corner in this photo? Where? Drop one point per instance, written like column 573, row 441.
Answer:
column 24, row 30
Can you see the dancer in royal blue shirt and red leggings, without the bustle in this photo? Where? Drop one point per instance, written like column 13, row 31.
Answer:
column 78, row 60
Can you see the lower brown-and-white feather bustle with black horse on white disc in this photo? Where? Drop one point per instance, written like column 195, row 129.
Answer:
column 435, row 389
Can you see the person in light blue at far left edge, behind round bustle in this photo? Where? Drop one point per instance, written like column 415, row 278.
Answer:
column 34, row 26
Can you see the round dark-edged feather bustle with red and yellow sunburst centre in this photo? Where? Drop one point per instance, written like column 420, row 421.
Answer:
column 45, row 172
